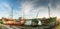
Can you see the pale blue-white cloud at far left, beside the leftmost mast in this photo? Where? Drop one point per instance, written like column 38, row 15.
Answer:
column 5, row 10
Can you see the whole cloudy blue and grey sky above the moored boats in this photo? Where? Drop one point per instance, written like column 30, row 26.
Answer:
column 29, row 8
